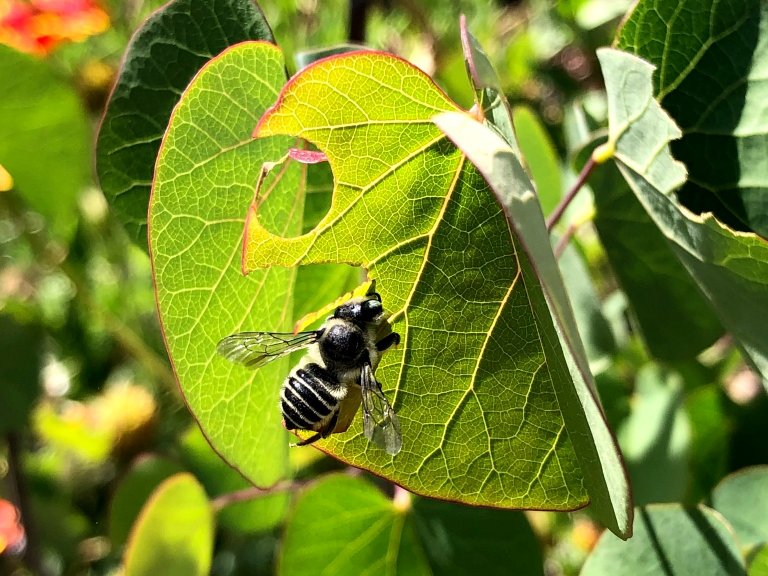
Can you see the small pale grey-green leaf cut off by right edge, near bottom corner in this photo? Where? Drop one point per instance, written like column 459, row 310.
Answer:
column 742, row 498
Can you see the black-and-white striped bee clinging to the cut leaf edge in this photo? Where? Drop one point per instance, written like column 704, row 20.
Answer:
column 324, row 390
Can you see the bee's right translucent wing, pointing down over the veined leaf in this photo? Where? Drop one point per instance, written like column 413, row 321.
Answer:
column 380, row 422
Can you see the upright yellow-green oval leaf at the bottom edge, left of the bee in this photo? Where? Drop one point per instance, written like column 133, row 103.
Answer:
column 174, row 532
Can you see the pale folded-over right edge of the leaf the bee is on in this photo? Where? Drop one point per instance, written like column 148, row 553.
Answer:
column 601, row 463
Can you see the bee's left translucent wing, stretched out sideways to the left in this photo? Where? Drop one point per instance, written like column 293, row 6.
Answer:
column 254, row 349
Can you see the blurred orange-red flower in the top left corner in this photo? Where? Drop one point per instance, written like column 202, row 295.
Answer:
column 38, row 26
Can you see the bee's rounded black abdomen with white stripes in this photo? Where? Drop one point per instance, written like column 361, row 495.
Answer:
column 306, row 398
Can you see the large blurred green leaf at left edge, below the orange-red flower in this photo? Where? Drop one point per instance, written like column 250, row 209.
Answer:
column 44, row 138
